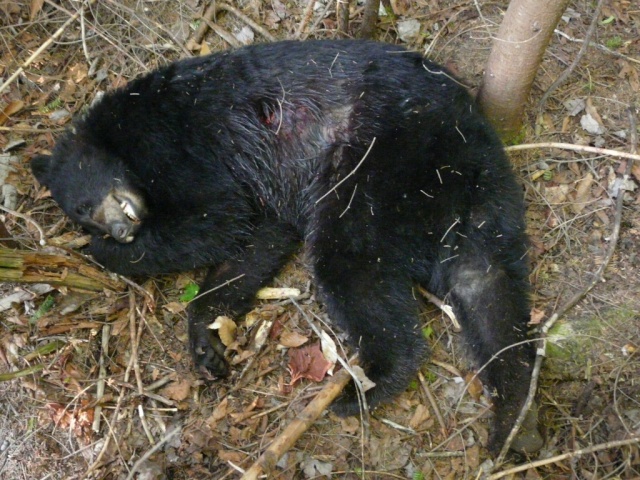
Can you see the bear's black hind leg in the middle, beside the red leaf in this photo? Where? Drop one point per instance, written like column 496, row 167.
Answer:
column 377, row 309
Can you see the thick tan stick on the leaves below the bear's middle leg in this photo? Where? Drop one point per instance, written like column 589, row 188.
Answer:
column 306, row 418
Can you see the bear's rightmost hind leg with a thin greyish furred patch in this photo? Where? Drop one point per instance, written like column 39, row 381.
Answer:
column 492, row 305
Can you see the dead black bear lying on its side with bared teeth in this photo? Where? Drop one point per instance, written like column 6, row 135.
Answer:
column 374, row 157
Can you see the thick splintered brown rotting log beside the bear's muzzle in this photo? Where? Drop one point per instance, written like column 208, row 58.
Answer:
column 20, row 266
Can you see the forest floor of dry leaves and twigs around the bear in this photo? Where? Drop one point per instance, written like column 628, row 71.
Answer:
column 119, row 355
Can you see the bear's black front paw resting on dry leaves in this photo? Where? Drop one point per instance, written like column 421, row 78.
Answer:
column 208, row 352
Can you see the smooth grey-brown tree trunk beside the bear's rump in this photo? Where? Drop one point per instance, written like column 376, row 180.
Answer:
column 514, row 60
